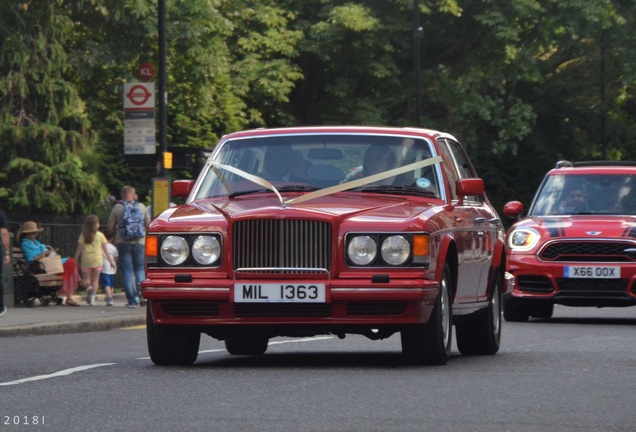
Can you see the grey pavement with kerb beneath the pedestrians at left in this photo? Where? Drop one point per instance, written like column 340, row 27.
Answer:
column 56, row 319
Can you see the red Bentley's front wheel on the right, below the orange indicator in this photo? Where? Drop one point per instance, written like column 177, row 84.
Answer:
column 430, row 344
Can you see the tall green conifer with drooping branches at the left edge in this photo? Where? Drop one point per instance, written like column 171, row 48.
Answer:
column 44, row 128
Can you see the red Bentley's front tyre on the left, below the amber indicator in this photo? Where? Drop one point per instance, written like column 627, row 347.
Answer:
column 169, row 344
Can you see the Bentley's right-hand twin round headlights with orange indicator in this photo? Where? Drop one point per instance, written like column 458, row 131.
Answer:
column 365, row 250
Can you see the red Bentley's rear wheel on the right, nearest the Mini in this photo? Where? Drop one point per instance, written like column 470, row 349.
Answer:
column 481, row 335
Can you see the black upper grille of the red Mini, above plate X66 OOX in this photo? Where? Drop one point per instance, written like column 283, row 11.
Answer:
column 585, row 251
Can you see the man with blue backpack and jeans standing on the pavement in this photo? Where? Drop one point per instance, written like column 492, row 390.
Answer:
column 130, row 219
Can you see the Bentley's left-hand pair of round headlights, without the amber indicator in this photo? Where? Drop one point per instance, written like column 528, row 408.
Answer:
column 199, row 249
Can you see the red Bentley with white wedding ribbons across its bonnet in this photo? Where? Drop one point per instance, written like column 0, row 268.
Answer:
column 307, row 231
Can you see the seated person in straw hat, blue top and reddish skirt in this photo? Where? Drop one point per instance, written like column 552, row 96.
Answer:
column 34, row 250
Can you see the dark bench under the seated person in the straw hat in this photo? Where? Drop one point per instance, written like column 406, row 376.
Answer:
column 31, row 282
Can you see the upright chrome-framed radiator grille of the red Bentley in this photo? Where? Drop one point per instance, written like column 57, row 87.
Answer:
column 282, row 243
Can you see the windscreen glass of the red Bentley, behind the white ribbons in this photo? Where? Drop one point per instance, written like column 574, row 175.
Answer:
column 316, row 161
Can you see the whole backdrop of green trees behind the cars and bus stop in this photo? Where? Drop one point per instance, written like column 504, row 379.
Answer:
column 522, row 83
